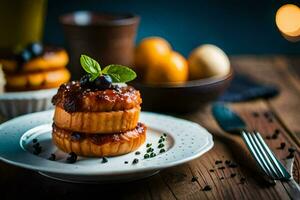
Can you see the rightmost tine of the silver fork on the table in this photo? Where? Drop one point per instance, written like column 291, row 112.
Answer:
column 284, row 173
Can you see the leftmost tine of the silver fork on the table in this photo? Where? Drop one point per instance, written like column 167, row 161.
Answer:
column 256, row 154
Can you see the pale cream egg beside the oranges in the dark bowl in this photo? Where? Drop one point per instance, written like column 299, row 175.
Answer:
column 208, row 60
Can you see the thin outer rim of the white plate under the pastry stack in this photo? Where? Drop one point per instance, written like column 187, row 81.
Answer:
column 209, row 144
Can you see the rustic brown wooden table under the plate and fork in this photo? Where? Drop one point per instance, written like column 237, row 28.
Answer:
column 188, row 180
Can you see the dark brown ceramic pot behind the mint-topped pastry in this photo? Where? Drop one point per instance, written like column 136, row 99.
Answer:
column 108, row 38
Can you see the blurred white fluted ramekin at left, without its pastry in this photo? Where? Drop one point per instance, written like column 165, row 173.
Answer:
column 13, row 104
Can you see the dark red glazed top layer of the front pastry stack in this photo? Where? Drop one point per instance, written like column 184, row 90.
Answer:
column 73, row 98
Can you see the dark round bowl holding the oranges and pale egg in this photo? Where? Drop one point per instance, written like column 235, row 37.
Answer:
column 185, row 98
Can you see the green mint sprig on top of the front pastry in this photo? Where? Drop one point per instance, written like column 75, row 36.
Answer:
column 118, row 73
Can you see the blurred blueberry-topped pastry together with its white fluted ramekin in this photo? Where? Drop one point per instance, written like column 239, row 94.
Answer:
column 31, row 78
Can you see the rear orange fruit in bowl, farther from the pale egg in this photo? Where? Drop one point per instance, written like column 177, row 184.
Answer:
column 150, row 50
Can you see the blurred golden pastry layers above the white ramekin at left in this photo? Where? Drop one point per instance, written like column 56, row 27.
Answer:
column 47, row 70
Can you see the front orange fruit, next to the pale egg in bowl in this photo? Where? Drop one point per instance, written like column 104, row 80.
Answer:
column 172, row 69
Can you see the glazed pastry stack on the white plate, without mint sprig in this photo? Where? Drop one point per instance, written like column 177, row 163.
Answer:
column 97, row 123
